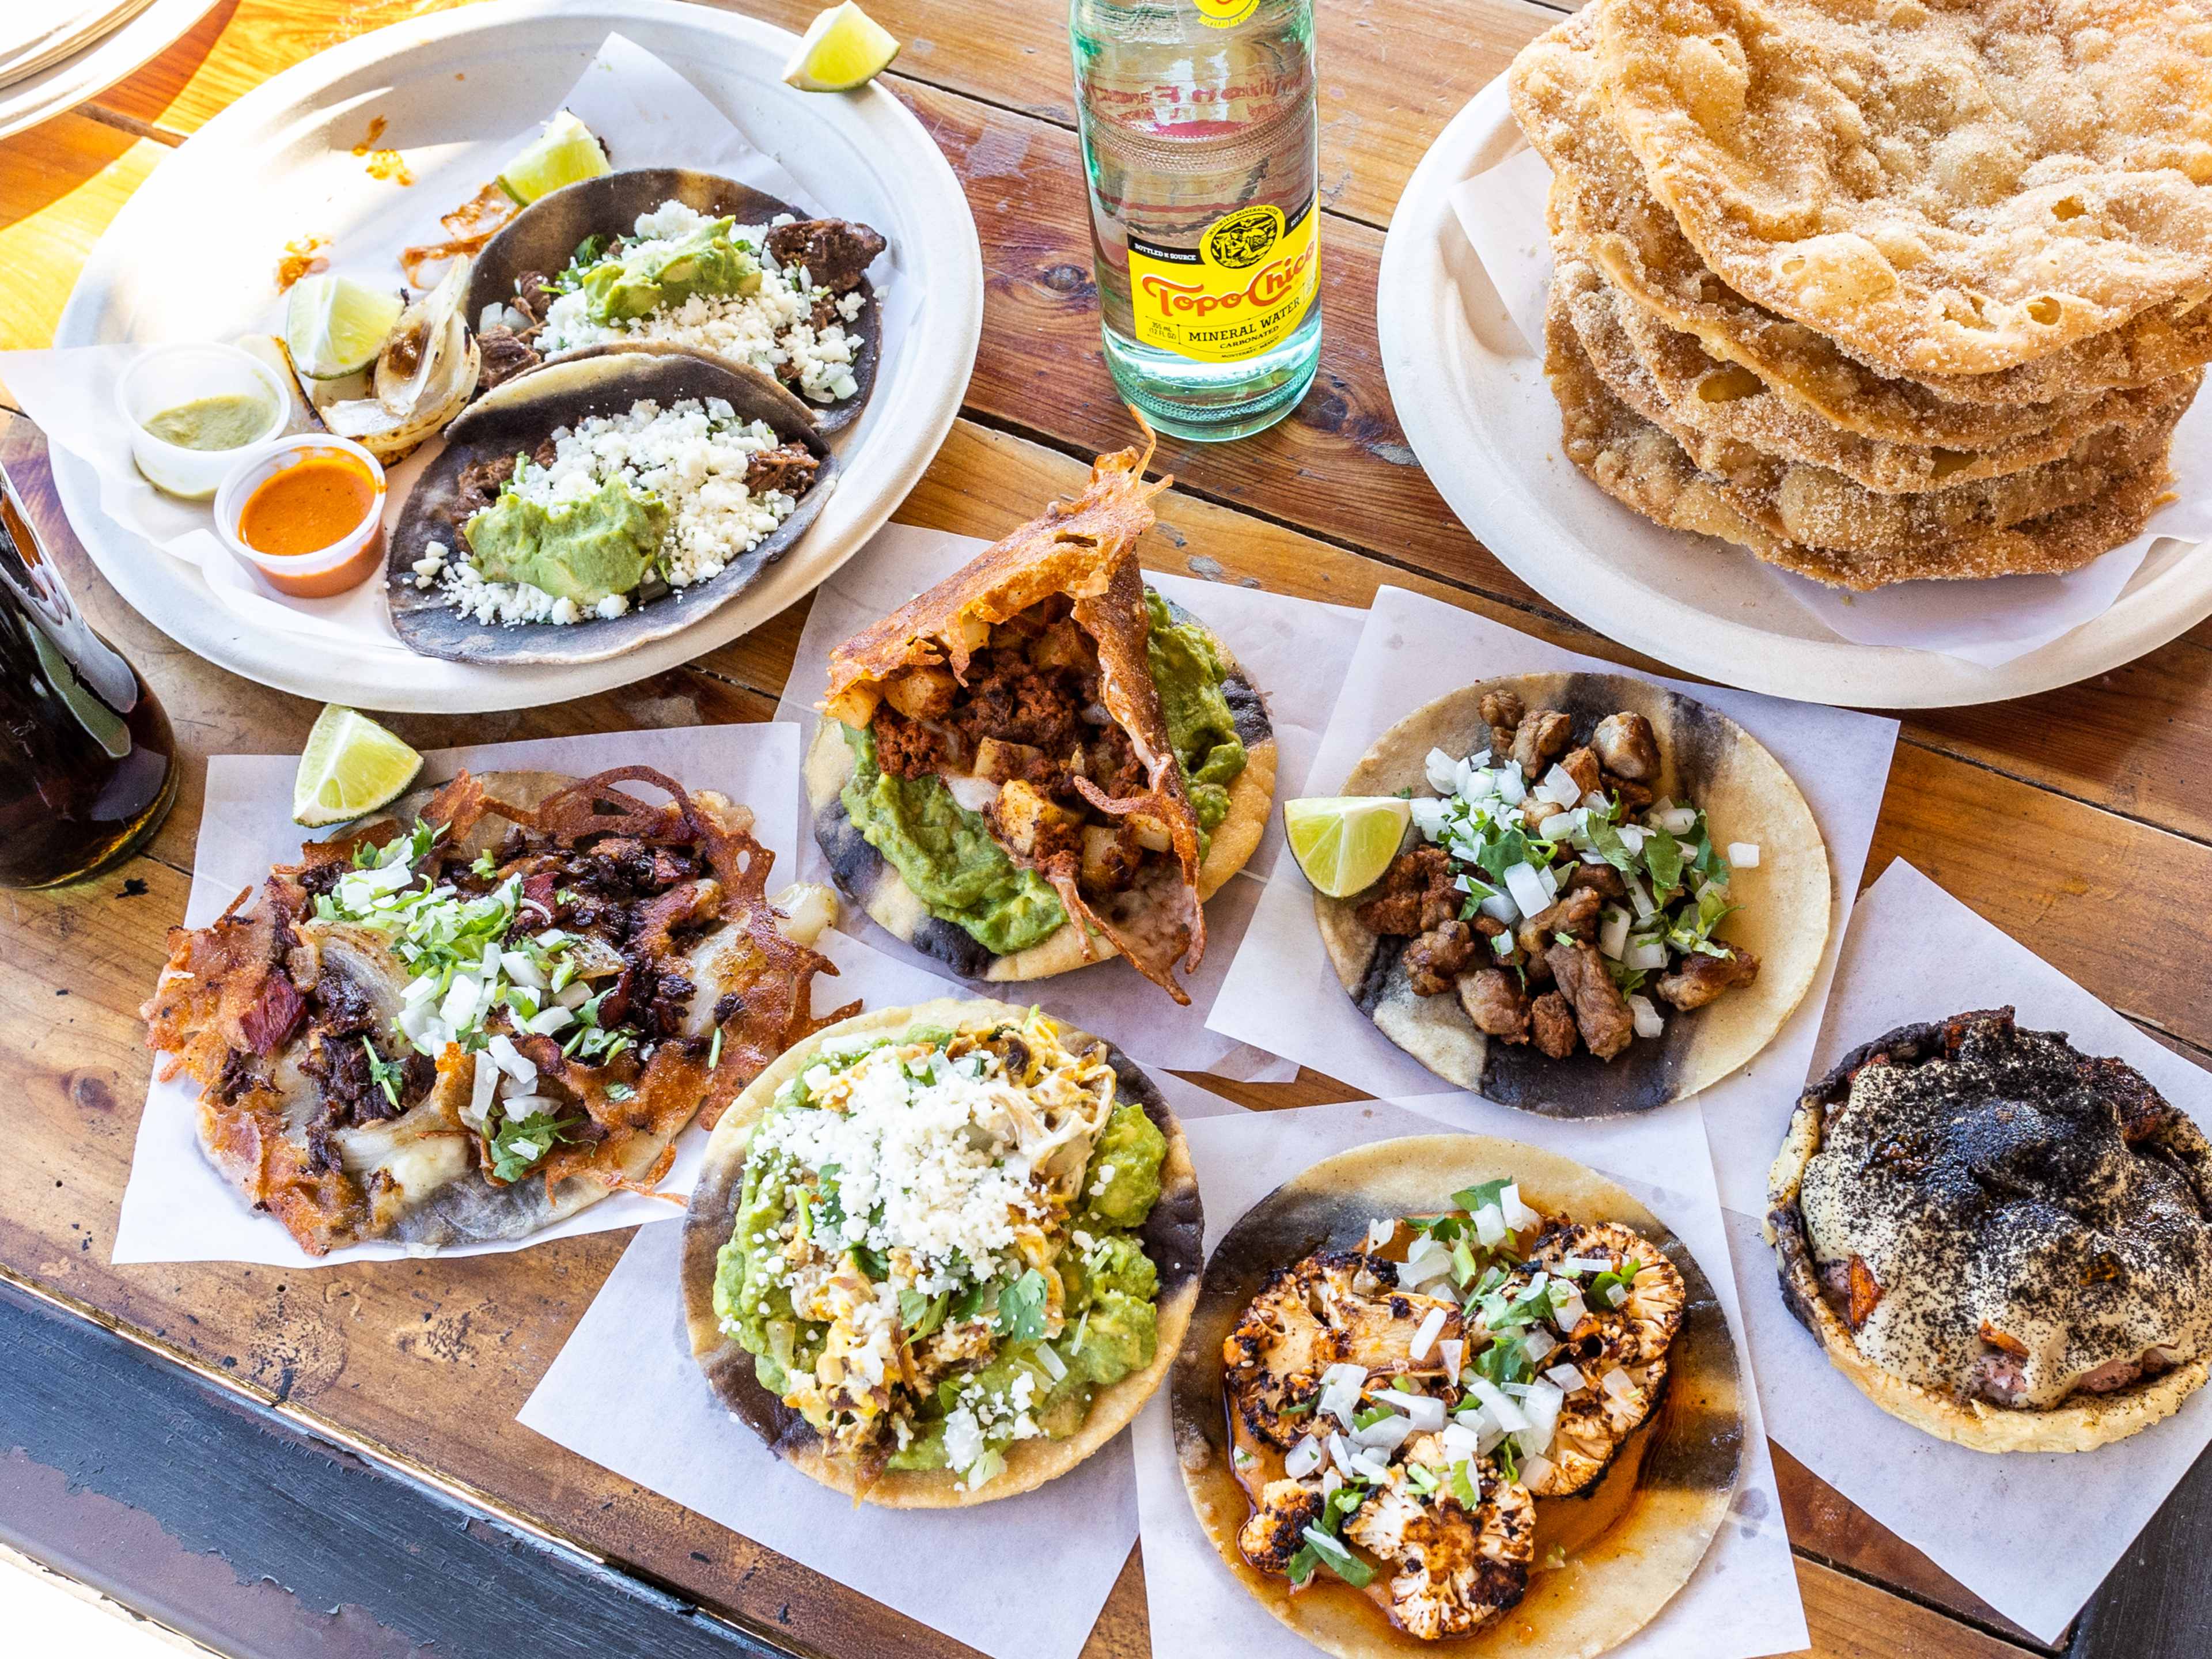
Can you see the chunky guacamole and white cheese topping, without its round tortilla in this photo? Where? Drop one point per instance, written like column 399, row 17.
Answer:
column 1008, row 1348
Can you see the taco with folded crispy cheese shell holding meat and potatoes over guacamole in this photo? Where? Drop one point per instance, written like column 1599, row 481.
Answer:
column 1041, row 762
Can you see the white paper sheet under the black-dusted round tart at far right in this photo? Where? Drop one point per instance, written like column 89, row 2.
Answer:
column 2032, row 1534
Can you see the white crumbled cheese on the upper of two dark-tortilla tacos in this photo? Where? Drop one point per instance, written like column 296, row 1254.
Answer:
column 766, row 328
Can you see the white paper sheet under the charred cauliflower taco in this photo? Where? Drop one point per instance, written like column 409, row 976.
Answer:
column 1744, row 1596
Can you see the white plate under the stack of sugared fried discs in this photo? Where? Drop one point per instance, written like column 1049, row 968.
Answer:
column 1483, row 421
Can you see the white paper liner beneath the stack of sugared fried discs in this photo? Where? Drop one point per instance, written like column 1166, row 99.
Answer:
column 1985, row 623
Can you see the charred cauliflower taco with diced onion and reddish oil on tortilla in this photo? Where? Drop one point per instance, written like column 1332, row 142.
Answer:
column 1399, row 1366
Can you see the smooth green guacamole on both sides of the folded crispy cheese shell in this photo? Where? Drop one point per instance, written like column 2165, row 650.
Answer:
column 948, row 855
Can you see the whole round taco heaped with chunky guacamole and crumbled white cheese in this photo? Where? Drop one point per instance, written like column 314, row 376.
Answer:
column 941, row 1255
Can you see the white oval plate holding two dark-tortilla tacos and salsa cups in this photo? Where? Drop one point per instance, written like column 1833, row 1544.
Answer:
column 163, row 273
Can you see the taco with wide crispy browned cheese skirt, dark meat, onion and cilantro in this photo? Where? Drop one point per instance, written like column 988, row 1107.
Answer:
column 488, row 1010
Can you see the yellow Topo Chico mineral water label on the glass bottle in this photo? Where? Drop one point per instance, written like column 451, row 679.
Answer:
column 1242, row 291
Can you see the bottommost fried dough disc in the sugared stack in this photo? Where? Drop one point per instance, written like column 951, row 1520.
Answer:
column 1647, row 470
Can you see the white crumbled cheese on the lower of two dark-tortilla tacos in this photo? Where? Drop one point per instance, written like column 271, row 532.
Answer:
column 693, row 457
